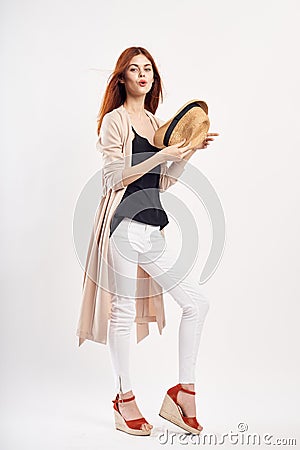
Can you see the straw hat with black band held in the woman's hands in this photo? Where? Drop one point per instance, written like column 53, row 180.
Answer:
column 190, row 122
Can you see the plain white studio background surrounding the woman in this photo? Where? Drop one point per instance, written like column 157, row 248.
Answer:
column 242, row 58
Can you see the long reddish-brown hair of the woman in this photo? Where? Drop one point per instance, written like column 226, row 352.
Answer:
column 115, row 93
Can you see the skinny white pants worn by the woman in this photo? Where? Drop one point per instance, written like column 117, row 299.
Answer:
column 134, row 242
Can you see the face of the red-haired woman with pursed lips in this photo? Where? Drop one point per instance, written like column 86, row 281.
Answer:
column 139, row 76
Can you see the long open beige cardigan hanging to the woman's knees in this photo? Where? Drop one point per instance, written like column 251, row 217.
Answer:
column 115, row 145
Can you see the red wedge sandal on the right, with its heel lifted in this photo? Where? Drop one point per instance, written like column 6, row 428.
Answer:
column 170, row 410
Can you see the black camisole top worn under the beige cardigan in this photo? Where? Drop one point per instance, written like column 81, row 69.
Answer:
column 141, row 200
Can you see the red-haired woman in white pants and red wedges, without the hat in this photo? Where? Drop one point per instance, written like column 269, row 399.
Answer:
column 136, row 237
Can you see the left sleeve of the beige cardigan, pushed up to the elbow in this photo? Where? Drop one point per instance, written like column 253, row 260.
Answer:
column 111, row 147
